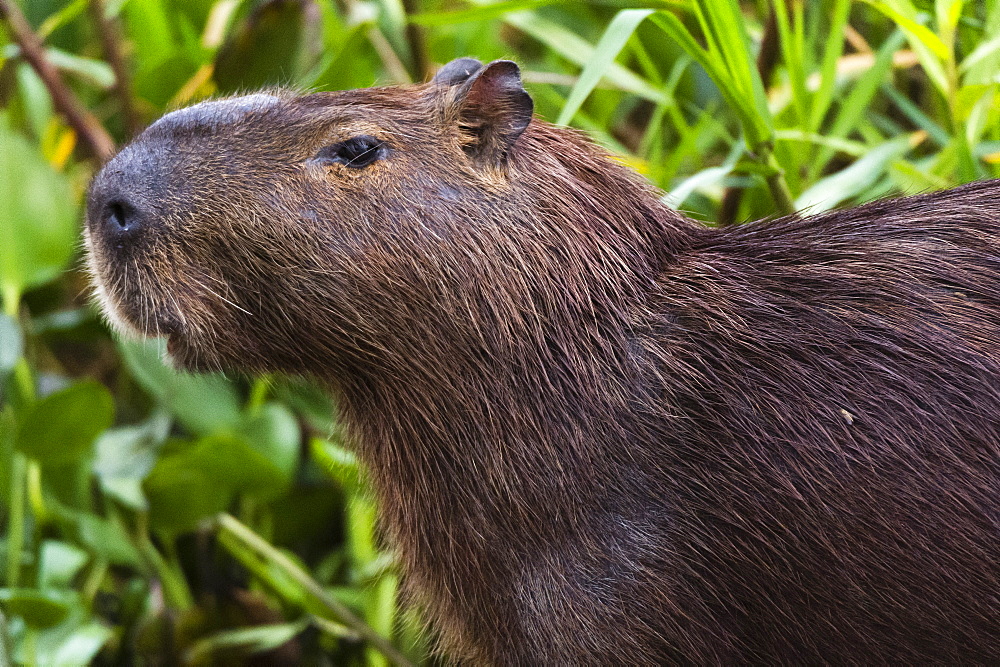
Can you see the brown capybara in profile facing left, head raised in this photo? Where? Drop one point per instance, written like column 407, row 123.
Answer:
column 600, row 433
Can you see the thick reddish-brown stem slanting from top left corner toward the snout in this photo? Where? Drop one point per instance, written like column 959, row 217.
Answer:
column 87, row 127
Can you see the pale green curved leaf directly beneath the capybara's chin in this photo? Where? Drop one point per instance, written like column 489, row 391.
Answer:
column 202, row 403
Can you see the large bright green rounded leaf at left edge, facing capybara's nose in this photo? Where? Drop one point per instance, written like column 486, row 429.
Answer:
column 37, row 217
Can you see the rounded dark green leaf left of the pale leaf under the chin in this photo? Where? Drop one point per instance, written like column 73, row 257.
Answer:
column 61, row 428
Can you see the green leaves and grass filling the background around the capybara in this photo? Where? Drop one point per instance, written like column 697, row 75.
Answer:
column 164, row 518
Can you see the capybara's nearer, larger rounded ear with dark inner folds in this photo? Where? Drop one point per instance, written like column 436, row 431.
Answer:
column 492, row 111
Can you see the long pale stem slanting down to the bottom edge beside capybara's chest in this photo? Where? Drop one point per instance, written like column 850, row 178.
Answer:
column 229, row 525
